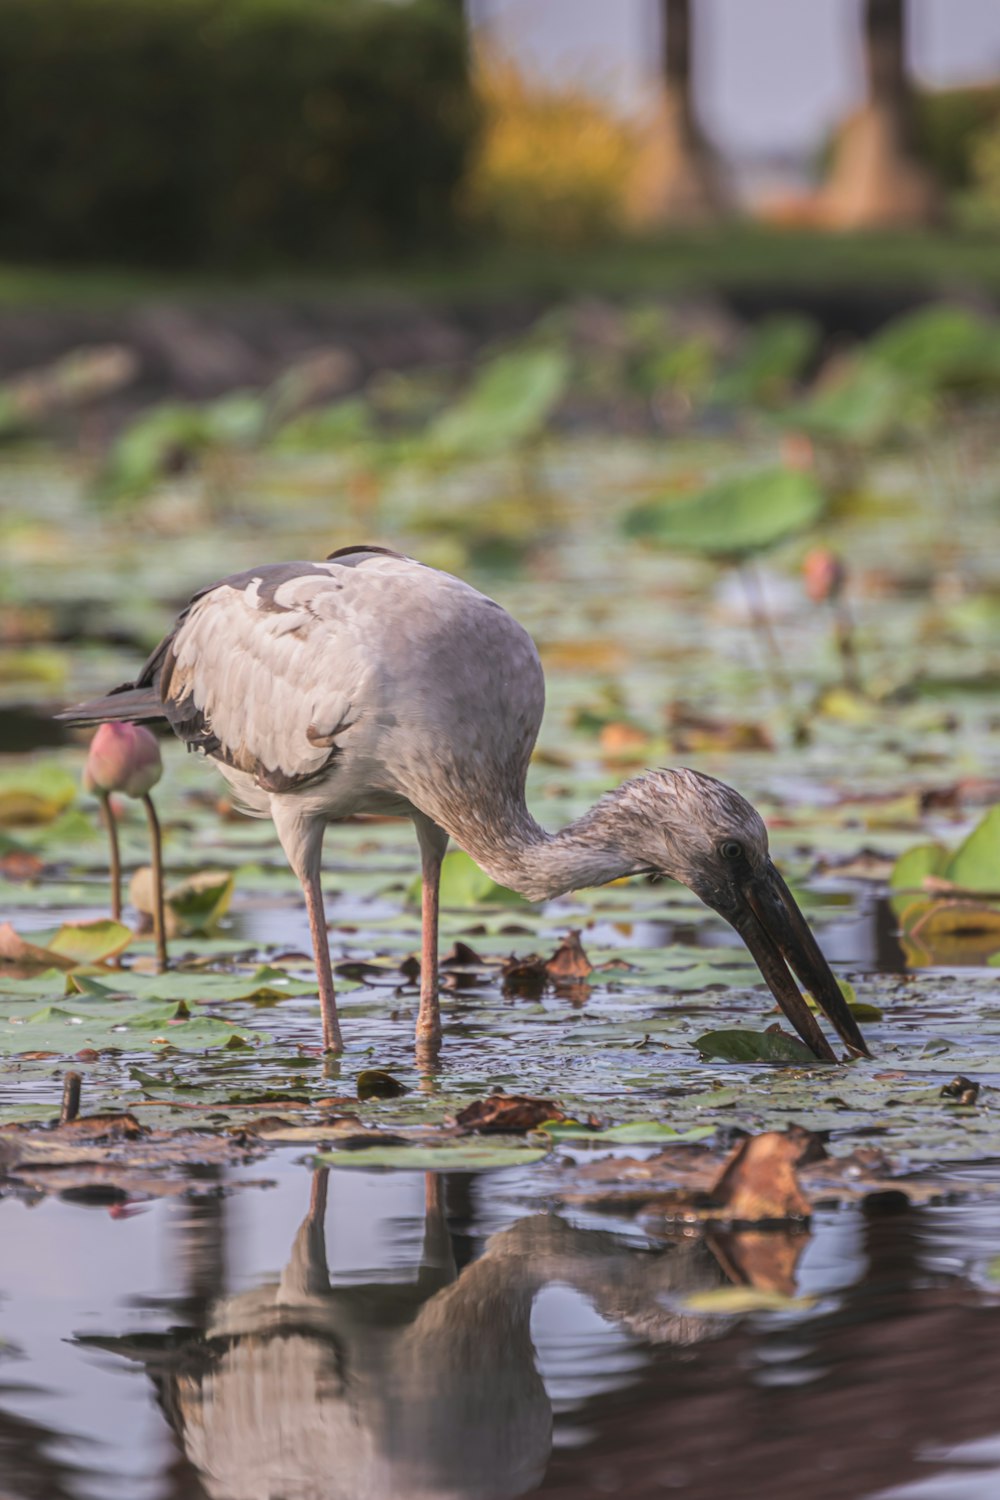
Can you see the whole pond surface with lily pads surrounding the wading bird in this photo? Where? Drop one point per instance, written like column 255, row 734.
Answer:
column 283, row 1331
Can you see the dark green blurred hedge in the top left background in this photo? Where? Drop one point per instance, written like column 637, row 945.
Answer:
column 197, row 133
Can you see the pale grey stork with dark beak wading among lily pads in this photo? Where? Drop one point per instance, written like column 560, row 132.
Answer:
column 374, row 685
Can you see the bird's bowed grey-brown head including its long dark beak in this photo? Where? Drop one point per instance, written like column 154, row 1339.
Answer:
column 701, row 832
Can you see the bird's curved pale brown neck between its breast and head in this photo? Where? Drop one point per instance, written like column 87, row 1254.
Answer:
column 519, row 854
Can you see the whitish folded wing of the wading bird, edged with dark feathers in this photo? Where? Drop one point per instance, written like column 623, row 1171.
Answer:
column 265, row 673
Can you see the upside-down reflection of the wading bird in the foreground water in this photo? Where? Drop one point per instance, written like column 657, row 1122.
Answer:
column 427, row 1388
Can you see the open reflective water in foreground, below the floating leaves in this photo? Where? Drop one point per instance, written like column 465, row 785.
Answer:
column 302, row 1334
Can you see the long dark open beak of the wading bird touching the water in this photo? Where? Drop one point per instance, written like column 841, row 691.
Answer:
column 779, row 938
